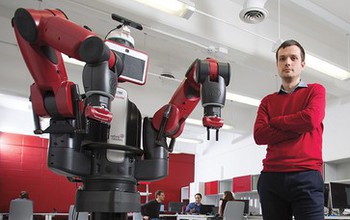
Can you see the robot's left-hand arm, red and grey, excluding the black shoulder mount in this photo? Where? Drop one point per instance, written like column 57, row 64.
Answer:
column 42, row 35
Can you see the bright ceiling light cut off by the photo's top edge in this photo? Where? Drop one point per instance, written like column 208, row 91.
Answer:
column 181, row 8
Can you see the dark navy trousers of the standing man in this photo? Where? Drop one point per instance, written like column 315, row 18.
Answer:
column 298, row 194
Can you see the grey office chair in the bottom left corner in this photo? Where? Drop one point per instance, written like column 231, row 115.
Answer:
column 21, row 209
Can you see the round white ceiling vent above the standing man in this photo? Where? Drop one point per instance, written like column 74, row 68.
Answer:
column 253, row 11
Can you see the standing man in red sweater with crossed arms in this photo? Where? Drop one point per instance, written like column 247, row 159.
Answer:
column 289, row 122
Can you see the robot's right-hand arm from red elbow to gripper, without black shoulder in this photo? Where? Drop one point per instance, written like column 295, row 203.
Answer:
column 206, row 80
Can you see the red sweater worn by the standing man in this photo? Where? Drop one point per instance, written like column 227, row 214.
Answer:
column 291, row 126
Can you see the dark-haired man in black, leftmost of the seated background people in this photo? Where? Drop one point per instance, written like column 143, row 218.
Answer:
column 151, row 210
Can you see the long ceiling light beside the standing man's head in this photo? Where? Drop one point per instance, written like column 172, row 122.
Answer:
column 326, row 67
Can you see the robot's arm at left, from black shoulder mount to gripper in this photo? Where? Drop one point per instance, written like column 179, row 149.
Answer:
column 75, row 118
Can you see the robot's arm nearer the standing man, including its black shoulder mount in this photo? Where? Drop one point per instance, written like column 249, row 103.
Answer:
column 206, row 80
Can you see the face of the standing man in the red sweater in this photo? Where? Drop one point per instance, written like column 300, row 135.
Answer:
column 289, row 63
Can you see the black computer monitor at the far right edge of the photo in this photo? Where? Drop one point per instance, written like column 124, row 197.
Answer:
column 340, row 195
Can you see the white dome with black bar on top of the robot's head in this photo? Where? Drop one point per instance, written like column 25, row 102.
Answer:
column 121, row 33
